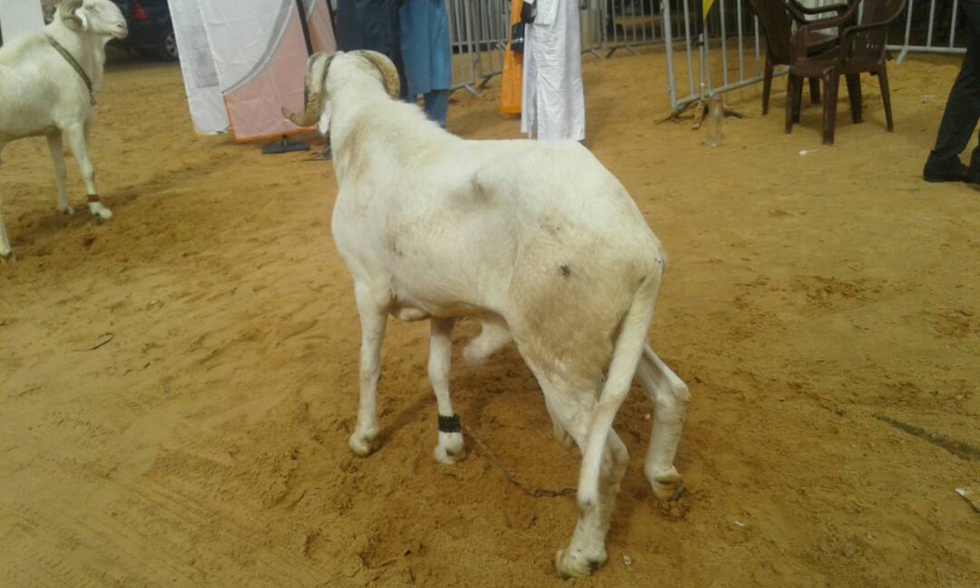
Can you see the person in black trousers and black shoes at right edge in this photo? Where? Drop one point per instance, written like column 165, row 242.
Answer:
column 961, row 115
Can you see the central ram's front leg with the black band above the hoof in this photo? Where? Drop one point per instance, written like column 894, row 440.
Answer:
column 450, row 449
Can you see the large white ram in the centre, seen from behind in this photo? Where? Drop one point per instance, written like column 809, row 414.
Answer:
column 536, row 240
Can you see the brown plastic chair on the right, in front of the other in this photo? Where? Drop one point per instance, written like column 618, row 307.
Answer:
column 861, row 48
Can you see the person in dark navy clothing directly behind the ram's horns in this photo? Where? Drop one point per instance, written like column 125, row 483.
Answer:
column 371, row 25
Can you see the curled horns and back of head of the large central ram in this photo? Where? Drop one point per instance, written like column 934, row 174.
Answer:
column 315, row 110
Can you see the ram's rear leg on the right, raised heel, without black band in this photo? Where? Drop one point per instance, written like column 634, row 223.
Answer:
column 670, row 396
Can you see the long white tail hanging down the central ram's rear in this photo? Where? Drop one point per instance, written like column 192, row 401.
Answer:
column 626, row 356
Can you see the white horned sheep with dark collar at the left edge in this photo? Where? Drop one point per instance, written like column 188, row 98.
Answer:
column 47, row 86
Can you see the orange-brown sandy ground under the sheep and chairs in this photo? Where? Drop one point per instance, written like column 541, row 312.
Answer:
column 177, row 385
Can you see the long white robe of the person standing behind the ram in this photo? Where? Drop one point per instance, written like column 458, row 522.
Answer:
column 553, row 104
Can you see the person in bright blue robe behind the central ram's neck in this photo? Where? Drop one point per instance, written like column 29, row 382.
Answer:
column 427, row 55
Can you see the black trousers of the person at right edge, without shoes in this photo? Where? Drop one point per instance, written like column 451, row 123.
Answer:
column 963, row 106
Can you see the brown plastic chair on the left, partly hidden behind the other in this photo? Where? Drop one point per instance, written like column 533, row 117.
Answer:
column 778, row 18
